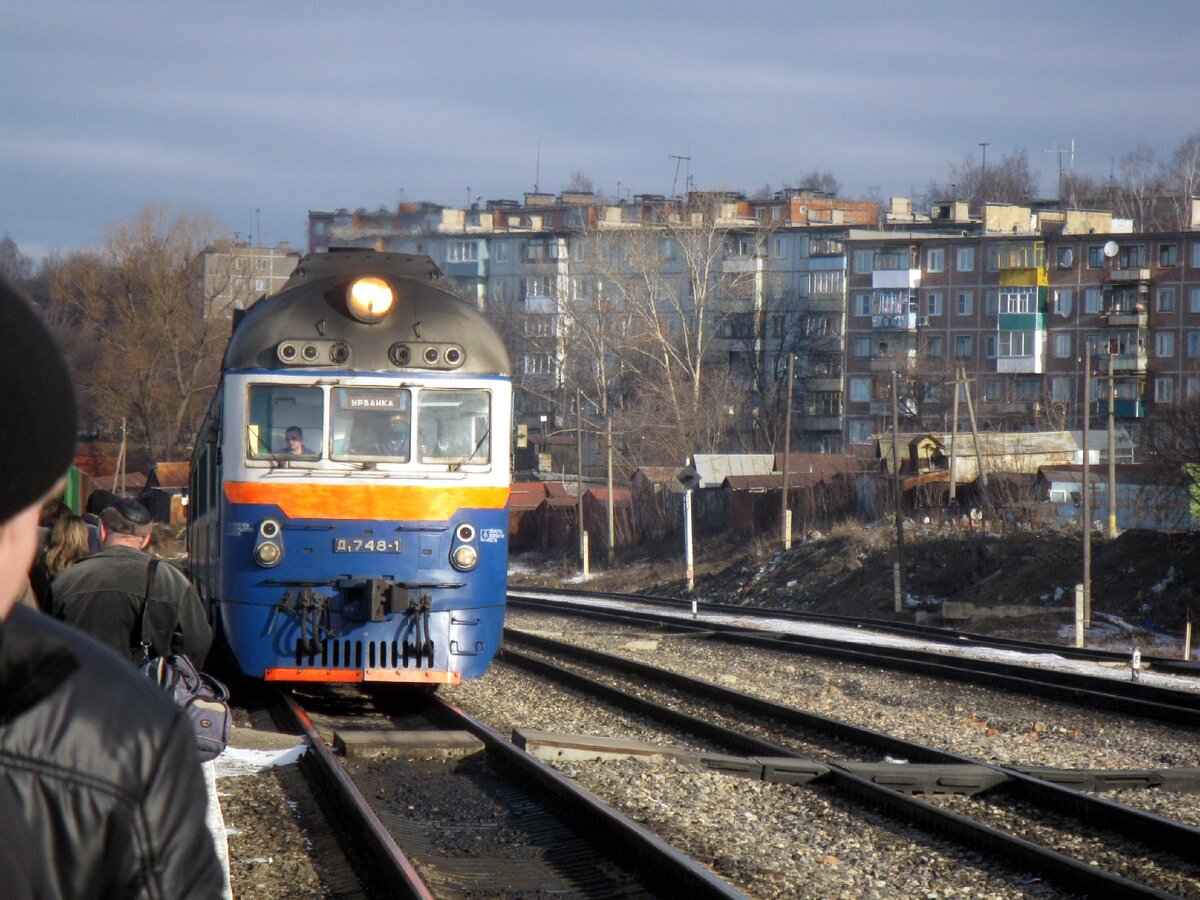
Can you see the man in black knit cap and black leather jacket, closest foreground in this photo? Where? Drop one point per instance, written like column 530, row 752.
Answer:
column 101, row 791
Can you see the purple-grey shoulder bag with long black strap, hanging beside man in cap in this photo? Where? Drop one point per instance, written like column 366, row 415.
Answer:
column 201, row 697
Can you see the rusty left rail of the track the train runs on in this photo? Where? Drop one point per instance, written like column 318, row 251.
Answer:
column 395, row 871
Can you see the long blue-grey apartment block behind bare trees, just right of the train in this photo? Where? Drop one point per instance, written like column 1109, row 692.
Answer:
column 536, row 265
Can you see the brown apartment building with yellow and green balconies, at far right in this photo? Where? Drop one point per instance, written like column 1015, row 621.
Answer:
column 1028, row 309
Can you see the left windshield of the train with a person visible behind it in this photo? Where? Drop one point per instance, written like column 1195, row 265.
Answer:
column 285, row 419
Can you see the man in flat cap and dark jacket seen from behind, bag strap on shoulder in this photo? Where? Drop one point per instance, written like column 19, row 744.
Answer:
column 105, row 595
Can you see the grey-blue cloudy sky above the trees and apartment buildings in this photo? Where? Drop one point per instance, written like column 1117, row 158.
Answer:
column 284, row 107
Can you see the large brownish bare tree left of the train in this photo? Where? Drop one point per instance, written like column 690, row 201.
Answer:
column 154, row 355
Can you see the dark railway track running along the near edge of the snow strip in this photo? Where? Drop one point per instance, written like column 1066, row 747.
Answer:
column 1129, row 698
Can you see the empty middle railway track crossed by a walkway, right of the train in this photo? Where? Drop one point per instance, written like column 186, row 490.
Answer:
column 1154, row 843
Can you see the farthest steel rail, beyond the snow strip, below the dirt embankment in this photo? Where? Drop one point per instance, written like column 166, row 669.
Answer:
column 932, row 633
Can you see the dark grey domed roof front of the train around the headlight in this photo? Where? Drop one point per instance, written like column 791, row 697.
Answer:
column 310, row 310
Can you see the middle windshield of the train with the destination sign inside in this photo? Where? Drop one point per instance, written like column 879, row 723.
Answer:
column 371, row 424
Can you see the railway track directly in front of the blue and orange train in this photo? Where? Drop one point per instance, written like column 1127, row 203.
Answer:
column 446, row 807
